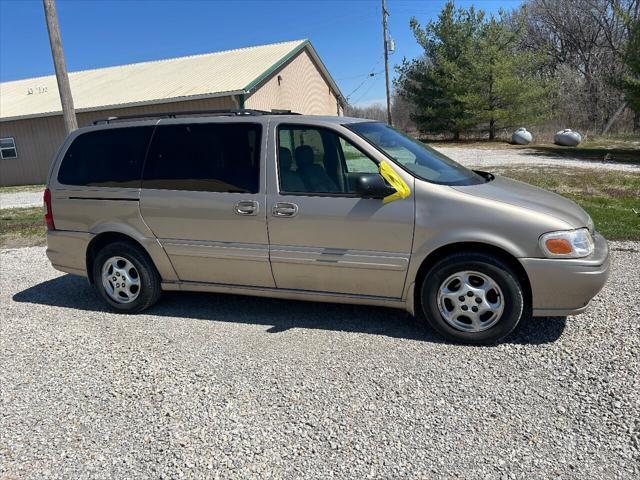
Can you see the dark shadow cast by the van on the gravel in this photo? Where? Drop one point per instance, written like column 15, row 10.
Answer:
column 69, row 291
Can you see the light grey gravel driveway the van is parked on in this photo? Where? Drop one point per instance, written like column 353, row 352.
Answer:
column 210, row 385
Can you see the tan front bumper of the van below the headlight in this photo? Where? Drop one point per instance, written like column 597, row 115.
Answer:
column 566, row 286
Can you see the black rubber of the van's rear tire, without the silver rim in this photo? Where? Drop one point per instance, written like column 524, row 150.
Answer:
column 149, row 280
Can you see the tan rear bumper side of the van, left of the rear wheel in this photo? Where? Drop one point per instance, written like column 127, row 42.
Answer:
column 67, row 251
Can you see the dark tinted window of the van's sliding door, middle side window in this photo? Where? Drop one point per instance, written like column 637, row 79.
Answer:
column 205, row 157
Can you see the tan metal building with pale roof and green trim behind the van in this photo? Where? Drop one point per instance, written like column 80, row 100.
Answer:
column 287, row 76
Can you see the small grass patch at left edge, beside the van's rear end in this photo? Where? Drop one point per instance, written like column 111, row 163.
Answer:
column 20, row 227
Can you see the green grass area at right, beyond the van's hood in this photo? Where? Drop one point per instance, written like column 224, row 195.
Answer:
column 608, row 197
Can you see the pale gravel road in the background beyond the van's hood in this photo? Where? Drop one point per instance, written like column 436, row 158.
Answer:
column 485, row 157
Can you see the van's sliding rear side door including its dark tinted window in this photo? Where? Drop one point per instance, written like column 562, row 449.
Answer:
column 203, row 198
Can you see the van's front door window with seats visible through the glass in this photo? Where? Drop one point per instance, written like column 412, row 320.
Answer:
column 318, row 160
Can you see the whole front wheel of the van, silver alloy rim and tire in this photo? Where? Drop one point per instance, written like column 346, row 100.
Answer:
column 472, row 298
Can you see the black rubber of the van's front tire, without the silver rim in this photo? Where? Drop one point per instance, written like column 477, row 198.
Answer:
column 513, row 297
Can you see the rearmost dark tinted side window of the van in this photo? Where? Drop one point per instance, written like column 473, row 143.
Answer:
column 106, row 158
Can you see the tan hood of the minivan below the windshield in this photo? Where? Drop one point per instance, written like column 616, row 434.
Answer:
column 521, row 194
